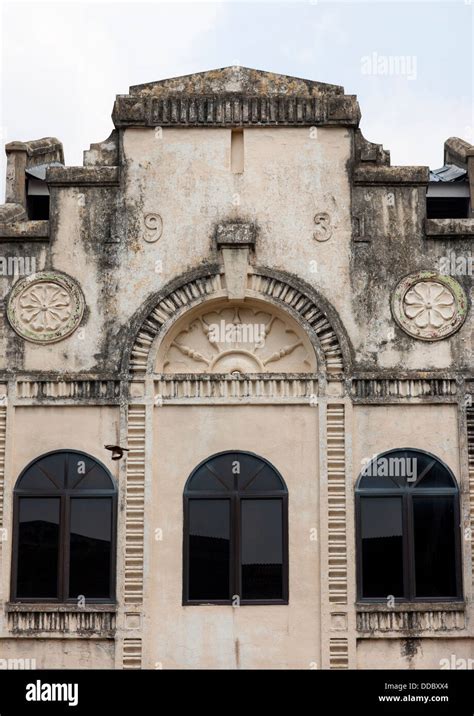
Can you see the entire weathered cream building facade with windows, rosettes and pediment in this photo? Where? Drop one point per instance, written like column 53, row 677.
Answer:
column 244, row 301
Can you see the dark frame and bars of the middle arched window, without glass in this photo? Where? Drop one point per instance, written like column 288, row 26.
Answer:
column 234, row 497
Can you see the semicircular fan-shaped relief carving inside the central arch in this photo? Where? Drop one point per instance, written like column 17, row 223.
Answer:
column 236, row 338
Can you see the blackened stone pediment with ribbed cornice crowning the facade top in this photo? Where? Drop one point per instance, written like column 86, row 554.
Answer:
column 235, row 96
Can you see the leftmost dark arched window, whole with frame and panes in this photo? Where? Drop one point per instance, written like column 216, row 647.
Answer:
column 64, row 530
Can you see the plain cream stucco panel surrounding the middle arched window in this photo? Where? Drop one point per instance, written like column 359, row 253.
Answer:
column 283, row 636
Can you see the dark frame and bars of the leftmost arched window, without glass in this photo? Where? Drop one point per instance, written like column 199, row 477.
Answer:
column 64, row 495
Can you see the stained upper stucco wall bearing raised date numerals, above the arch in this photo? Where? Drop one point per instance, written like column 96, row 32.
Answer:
column 99, row 237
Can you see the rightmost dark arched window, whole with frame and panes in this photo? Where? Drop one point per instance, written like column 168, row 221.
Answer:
column 408, row 526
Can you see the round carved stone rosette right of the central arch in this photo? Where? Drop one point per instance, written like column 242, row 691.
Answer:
column 429, row 306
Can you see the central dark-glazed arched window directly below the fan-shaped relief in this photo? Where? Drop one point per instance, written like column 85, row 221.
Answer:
column 235, row 532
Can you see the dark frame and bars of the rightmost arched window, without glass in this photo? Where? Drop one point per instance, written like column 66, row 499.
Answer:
column 407, row 493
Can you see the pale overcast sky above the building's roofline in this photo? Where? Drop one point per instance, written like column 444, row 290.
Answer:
column 63, row 63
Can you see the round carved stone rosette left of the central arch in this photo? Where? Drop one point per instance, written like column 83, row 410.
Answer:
column 45, row 307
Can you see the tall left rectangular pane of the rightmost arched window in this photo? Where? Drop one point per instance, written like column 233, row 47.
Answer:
column 382, row 547
